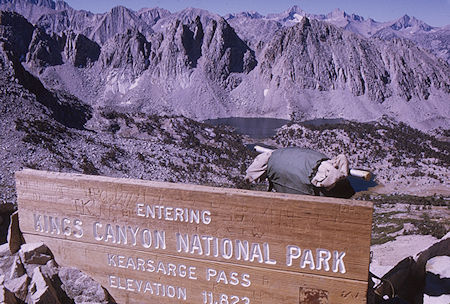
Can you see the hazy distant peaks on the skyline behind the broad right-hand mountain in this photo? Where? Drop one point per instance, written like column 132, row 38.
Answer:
column 435, row 39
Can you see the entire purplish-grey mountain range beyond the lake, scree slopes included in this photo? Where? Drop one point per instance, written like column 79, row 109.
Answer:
column 200, row 65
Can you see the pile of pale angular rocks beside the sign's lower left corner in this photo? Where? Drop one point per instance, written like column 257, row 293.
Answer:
column 32, row 276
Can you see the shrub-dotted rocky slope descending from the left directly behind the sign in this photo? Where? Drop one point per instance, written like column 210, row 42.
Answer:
column 39, row 135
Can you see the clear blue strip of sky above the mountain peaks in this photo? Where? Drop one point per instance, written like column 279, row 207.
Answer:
column 433, row 12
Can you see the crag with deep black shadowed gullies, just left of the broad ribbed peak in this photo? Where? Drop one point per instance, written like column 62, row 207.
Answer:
column 212, row 45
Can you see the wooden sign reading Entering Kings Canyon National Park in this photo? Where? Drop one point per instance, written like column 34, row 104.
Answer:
column 152, row 242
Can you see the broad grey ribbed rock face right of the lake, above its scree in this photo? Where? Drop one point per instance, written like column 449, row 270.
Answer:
column 318, row 56
